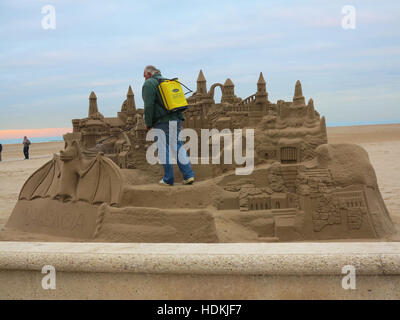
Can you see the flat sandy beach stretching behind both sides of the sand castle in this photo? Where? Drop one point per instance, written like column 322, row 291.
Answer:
column 382, row 143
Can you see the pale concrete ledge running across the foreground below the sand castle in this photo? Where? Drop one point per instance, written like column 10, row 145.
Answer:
column 200, row 271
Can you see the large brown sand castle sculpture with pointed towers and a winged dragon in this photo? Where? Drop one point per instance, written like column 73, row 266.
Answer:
column 101, row 188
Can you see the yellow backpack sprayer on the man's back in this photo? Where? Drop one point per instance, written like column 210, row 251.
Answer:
column 172, row 94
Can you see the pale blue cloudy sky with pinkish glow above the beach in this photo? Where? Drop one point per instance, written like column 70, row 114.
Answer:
column 46, row 75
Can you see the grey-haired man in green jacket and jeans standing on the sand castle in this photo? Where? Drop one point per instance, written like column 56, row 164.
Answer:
column 156, row 116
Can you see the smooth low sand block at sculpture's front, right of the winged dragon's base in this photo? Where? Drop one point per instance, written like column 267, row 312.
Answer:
column 141, row 224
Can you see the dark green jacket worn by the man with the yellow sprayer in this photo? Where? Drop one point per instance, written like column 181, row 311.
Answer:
column 154, row 111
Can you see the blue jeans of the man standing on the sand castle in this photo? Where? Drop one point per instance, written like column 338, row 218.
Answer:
column 171, row 144
